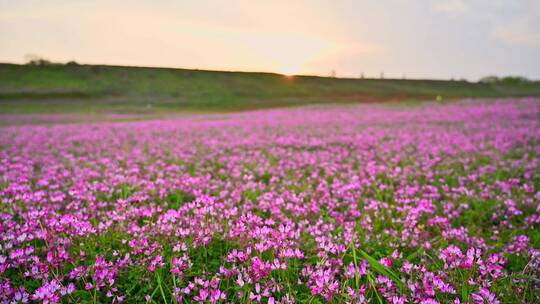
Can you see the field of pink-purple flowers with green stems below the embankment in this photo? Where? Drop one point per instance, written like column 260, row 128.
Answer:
column 357, row 204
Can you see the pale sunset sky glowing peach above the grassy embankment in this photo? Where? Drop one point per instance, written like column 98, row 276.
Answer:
column 409, row 38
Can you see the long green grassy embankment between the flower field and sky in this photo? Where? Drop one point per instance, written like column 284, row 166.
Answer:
column 96, row 88
